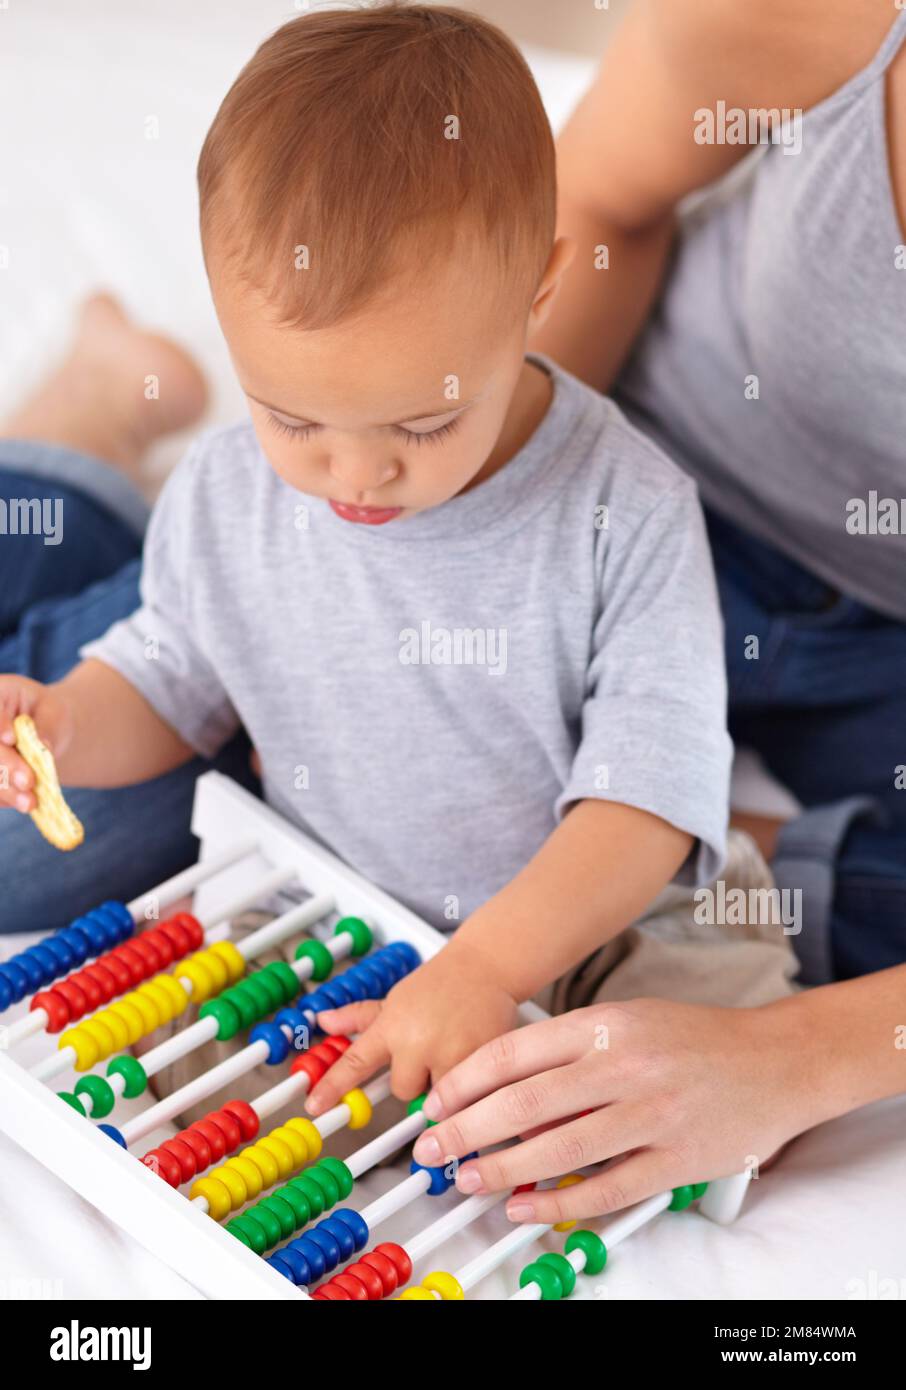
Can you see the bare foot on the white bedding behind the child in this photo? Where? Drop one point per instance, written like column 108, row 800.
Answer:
column 119, row 390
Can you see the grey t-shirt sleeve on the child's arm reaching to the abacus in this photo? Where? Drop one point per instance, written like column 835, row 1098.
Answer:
column 655, row 718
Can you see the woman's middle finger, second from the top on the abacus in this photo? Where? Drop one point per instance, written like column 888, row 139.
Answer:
column 529, row 1104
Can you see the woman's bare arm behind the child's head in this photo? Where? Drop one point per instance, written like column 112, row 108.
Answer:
column 629, row 155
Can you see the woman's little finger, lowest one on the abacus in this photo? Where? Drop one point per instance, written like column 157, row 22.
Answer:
column 625, row 1184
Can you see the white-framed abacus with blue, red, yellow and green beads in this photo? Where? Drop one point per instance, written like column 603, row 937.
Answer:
column 242, row 1211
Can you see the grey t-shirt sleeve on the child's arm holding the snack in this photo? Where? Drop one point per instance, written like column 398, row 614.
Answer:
column 158, row 648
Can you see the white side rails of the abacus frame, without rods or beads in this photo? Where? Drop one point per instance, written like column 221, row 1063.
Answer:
column 159, row 1217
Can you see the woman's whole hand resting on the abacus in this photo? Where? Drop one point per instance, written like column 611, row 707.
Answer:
column 673, row 1093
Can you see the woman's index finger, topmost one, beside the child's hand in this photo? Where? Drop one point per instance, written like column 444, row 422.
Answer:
column 512, row 1057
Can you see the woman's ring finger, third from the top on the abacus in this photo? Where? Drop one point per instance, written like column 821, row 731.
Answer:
column 565, row 1149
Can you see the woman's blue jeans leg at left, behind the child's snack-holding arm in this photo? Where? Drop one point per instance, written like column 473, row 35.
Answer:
column 53, row 598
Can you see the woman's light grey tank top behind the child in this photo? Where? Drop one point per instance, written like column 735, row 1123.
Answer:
column 790, row 283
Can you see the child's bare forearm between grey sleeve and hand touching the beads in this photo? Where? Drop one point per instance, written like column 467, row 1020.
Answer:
column 595, row 875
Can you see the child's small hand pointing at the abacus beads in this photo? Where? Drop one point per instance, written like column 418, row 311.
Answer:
column 429, row 1022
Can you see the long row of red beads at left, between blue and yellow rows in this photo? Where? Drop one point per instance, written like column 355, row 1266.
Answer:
column 119, row 971
